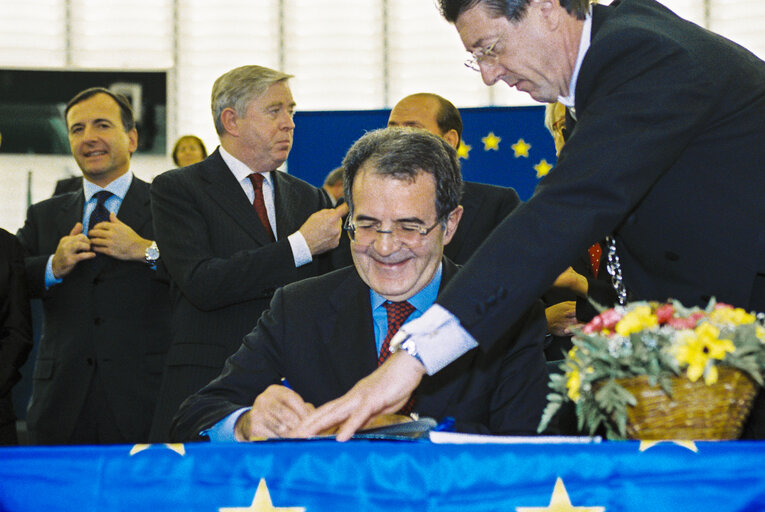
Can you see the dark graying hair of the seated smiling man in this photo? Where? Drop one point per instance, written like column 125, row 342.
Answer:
column 403, row 153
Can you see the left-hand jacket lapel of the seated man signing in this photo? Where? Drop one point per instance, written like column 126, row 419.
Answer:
column 351, row 345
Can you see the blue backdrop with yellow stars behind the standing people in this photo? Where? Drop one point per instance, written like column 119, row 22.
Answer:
column 501, row 145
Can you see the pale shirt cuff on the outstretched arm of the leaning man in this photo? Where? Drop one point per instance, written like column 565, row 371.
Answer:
column 438, row 337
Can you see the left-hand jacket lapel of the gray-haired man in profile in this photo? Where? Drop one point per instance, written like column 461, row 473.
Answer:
column 221, row 185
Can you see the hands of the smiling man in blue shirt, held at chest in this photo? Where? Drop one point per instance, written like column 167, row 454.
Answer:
column 113, row 238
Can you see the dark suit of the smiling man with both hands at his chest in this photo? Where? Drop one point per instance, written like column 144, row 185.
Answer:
column 107, row 314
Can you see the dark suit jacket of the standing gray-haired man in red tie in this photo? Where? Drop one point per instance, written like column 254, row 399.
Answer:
column 223, row 266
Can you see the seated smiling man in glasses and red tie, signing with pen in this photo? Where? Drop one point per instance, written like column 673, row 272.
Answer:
column 322, row 334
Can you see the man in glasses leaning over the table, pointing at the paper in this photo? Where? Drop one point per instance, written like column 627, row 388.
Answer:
column 668, row 115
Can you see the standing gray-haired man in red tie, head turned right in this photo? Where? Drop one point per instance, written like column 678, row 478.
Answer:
column 233, row 229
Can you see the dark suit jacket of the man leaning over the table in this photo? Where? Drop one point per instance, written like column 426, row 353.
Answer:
column 666, row 154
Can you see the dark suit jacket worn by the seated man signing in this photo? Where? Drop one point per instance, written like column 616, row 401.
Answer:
column 319, row 335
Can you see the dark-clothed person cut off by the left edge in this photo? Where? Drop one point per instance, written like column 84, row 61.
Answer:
column 15, row 330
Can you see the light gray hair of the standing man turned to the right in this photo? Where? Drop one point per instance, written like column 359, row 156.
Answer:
column 238, row 87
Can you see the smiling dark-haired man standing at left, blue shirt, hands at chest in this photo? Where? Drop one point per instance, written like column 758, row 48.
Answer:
column 92, row 260
